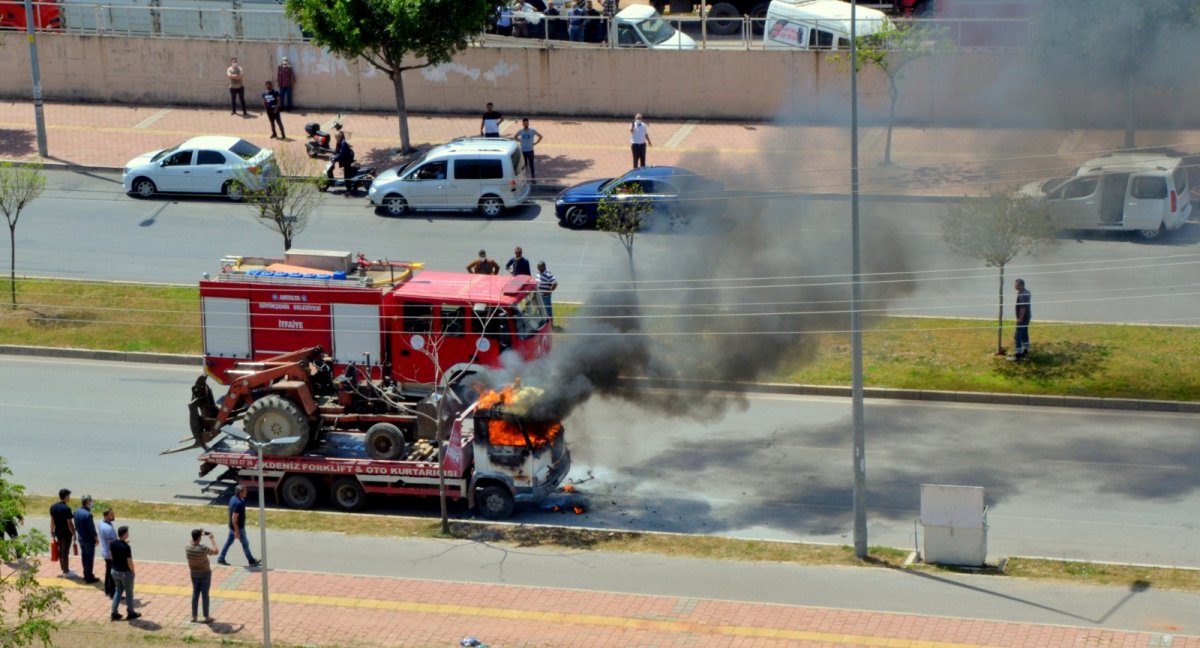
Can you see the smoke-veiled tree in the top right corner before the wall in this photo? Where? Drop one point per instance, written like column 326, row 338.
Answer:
column 1115, row 46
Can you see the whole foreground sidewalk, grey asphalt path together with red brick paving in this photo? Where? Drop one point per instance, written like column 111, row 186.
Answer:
column 427, row 592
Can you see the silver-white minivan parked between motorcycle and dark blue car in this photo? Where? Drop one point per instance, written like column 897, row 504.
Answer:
column 472, row 173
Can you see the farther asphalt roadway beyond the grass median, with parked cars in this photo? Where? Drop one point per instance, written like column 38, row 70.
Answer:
column 86, row 227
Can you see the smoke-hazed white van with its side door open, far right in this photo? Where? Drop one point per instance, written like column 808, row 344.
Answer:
column 1135, row 193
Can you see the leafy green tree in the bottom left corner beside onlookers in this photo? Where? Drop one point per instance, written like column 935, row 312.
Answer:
column 32, row 619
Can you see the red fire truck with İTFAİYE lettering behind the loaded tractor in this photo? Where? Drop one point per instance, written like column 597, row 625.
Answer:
column 392, row 320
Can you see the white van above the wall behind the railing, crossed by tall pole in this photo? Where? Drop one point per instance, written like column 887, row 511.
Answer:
column 818, row 25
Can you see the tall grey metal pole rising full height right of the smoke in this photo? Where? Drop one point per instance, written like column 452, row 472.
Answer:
column 856, row 295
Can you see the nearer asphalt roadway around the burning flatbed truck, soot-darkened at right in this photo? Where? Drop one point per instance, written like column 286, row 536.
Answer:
column 1072, row 484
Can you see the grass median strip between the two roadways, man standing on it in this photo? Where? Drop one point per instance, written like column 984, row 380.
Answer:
column 1099, row 361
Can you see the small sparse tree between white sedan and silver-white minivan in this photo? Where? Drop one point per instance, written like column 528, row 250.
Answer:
column 284, row 201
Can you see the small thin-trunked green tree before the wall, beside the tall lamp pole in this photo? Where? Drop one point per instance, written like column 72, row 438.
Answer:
column 892, row 51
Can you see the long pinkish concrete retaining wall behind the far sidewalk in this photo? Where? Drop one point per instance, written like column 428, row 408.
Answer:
column 962, row 88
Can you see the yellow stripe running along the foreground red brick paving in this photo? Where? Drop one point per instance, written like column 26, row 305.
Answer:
column 539, row 616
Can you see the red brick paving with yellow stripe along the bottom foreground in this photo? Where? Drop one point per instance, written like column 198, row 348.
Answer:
column 337, row 610
